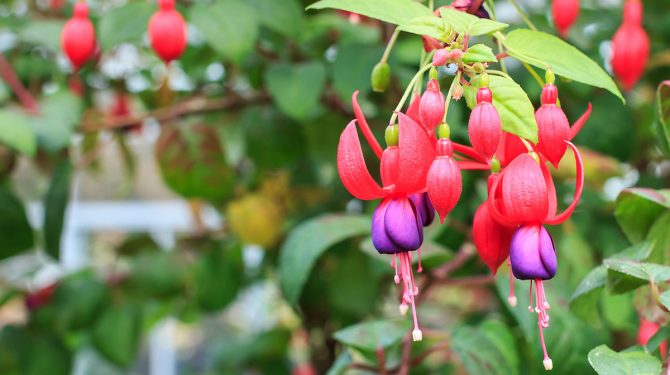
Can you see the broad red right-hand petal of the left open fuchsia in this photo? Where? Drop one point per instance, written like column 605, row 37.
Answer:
column 416, row 153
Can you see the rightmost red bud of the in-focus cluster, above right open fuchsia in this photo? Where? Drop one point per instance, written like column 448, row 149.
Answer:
column 553, row 126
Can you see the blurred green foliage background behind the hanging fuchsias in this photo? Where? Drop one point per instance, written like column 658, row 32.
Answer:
column 246, row 125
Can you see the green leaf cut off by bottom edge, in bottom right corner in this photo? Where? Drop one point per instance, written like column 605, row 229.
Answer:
column 608, row 362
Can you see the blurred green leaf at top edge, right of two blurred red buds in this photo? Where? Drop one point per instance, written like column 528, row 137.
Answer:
column 229, row 26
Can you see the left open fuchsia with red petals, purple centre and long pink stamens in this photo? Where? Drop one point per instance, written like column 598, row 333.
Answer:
column 397, row 223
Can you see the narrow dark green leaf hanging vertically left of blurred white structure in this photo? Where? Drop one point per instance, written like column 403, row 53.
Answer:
column 55, row 203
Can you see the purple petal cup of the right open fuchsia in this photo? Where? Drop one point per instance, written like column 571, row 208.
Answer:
column 532, row 253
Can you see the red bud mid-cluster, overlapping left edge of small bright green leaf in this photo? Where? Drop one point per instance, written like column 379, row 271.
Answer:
column 484, row 127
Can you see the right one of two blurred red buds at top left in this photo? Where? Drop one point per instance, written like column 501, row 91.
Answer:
column 167, row 31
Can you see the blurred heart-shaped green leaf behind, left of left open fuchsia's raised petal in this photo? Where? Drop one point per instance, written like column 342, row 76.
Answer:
column 296, row 89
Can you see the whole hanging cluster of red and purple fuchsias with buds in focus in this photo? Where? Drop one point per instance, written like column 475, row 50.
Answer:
column 421, row 168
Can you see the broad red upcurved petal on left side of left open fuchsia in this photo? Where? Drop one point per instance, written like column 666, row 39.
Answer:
column 351, row 166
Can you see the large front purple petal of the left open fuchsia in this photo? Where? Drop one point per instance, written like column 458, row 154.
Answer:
column 403, row 224
